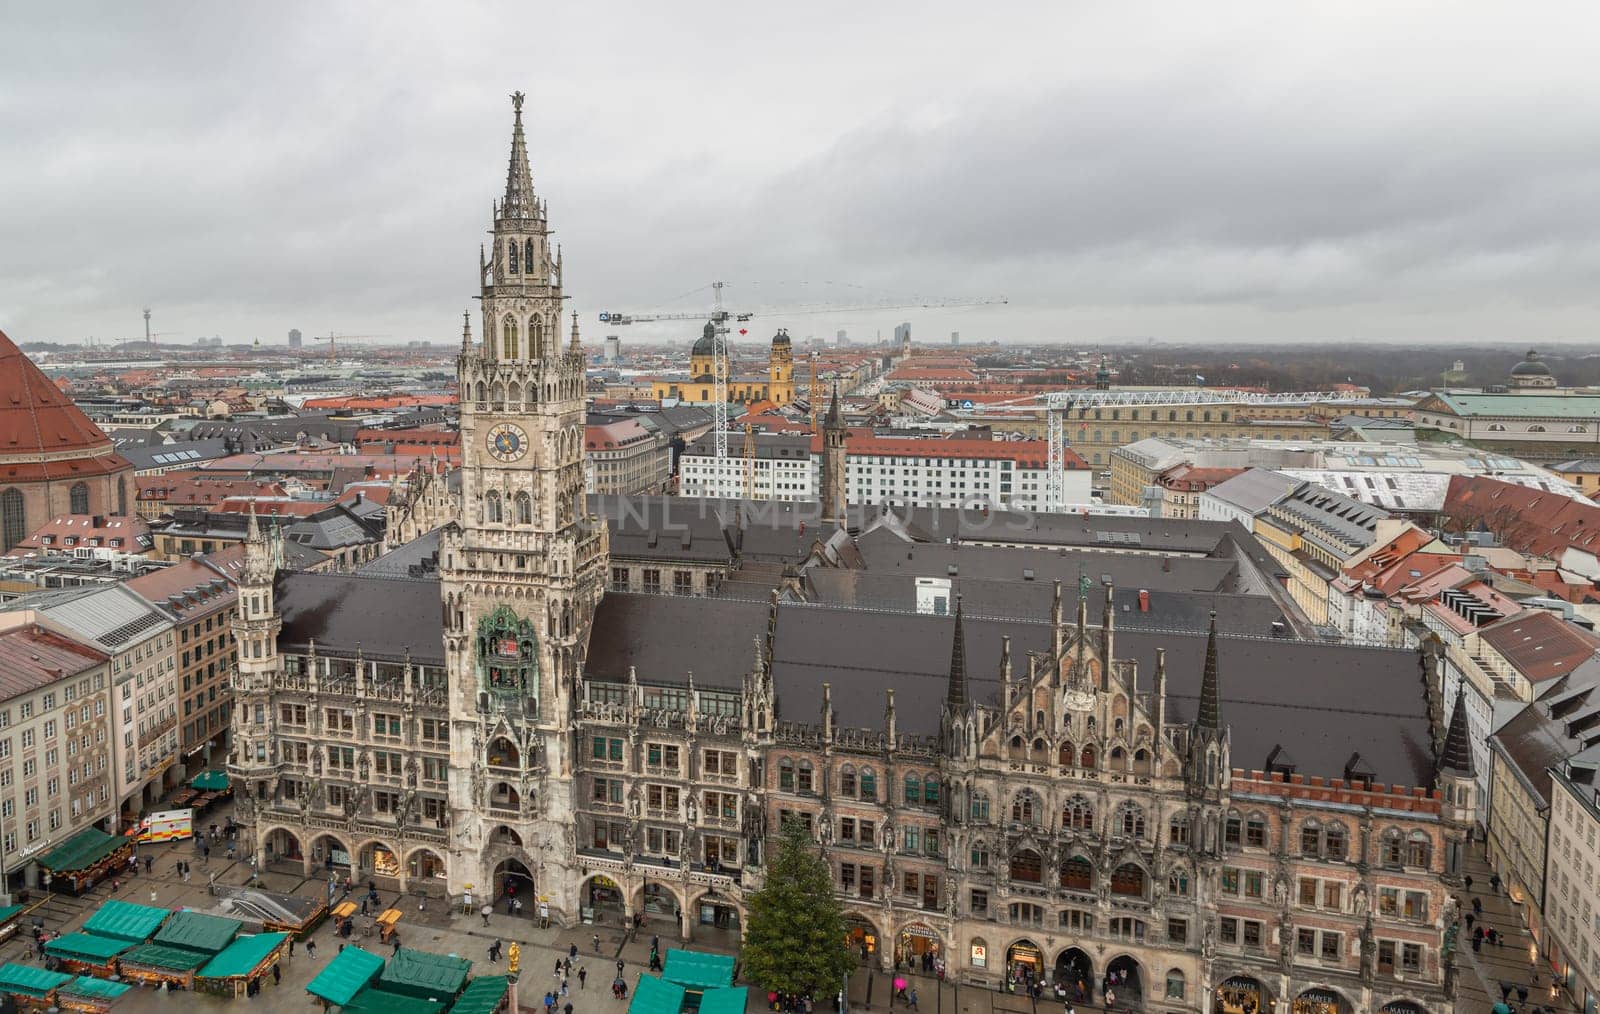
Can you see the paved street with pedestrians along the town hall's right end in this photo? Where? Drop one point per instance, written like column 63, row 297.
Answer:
column 1513, row 962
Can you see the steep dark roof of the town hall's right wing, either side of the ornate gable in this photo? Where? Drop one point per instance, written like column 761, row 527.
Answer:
column 1326, row 700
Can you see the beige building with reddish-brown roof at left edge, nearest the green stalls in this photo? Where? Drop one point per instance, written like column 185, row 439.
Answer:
column 55, row 767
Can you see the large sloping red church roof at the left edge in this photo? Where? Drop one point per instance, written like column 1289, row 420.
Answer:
column 38, row 418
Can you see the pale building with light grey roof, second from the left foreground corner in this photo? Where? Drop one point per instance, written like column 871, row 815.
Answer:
column 145, row 697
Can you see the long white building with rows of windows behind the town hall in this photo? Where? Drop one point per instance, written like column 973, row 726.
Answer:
column 900, row 471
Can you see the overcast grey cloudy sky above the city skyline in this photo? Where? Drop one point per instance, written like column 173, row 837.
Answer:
column 1356, row 170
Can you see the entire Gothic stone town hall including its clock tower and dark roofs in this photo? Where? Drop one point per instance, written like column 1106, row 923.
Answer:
column 1223, row 823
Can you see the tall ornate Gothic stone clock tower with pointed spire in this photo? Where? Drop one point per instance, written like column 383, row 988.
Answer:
column 522, row 569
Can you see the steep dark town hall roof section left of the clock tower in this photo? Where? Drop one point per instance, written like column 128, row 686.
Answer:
column 345, row 613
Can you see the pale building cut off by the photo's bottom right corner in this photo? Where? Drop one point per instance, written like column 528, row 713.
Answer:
column 1572, row 892
